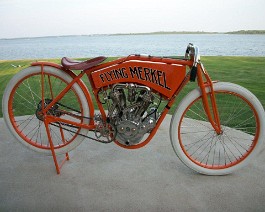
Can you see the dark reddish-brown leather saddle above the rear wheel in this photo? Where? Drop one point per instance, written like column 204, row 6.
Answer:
column 81, row 65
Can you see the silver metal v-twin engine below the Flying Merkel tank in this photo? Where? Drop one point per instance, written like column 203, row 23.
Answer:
column 132, row 111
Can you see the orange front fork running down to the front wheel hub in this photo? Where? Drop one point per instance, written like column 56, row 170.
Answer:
column 204, row 81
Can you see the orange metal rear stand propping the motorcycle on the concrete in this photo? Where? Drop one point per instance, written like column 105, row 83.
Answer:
column 57, row 165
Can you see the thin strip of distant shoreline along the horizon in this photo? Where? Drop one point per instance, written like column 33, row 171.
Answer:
column 240, row 32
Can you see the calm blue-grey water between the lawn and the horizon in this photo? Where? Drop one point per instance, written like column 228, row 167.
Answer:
column 123, row 45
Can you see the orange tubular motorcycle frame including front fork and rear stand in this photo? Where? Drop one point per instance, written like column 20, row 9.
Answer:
column 203, row 79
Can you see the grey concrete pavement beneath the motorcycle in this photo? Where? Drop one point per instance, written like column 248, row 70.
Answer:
column 105, row 177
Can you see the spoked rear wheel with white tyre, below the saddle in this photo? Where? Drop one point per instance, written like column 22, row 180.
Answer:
column 22, row 108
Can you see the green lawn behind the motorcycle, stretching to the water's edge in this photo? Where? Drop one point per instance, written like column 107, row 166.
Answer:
column 246, row 71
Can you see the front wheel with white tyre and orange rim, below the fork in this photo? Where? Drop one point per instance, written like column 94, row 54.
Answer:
column 198, row 145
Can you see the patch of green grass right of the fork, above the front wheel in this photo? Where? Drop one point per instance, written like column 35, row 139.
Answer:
column 248, row 72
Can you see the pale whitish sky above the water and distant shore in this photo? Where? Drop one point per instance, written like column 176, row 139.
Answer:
column 31, row 18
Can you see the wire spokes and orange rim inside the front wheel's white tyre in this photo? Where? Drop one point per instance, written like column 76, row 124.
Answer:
column 204, row 146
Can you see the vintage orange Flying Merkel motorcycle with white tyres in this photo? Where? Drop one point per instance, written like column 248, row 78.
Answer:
column 215, row 130
